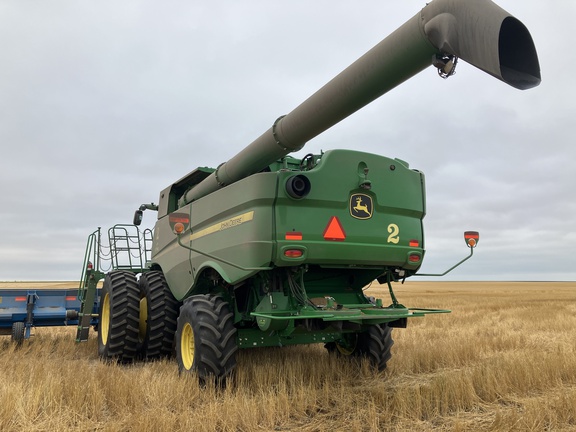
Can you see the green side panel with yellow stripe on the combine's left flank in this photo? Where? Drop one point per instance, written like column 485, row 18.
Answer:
column 230, row 226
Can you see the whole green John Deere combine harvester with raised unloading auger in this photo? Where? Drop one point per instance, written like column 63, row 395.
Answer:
column 269, row 250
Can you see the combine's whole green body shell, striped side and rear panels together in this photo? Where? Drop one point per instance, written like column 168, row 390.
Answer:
column 245, row 226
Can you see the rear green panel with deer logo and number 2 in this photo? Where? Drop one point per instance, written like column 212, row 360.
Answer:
column 378, row 234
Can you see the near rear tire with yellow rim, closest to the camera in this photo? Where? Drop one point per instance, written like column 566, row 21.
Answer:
column 206, row 338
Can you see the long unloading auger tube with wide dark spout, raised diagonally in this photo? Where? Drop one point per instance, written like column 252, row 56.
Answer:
column 477, row 31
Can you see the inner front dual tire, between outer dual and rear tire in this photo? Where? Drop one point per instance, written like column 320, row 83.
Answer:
column 158, row 316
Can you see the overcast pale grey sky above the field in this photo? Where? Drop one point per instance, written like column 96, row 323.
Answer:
column 104, row 103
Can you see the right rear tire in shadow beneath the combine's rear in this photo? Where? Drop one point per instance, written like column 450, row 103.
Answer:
column 375, row 344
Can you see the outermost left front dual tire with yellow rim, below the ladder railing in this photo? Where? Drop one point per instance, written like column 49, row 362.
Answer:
column 119, row 317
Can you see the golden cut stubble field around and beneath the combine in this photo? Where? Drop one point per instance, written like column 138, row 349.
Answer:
column 503, row 360
